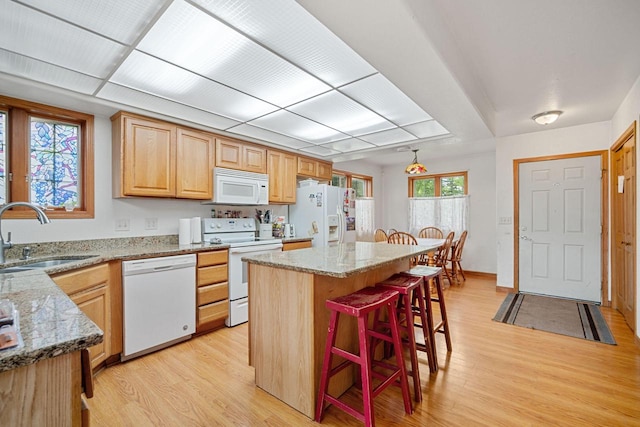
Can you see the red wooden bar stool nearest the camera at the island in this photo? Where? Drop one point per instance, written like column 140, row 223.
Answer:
column 360, row 304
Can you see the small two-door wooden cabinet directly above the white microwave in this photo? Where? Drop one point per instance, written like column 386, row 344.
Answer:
column 240, row 155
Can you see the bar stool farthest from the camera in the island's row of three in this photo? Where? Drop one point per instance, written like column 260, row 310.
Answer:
column 434, row 274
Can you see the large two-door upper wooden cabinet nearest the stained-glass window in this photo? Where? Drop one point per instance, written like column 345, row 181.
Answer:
column 152, row 158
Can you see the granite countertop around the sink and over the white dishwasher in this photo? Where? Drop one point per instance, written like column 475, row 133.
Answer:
column 50, row 323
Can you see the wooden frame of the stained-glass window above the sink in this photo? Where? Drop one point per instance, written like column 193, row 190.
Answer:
column 18, row 152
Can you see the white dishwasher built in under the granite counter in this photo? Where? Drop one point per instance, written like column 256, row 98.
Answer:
column 159, row 303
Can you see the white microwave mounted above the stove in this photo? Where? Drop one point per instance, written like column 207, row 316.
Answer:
column 234, row 187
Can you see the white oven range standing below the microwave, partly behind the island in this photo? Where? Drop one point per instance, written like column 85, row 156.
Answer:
column 240, row 235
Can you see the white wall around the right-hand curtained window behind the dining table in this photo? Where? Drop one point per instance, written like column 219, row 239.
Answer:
column 480, row 248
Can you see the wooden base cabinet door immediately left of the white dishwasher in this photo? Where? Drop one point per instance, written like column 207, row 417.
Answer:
column 95, row 304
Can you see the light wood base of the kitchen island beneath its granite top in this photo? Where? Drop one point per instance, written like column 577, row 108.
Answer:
column 288, row 322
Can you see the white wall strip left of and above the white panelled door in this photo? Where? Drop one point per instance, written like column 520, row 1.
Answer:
column 590, row 137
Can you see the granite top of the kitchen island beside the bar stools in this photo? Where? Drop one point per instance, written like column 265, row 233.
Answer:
column 341, row 261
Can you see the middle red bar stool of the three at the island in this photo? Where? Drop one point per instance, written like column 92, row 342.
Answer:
column 411, row 288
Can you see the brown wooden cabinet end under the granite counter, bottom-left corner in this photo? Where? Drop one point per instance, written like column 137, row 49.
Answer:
column 46, row 393
